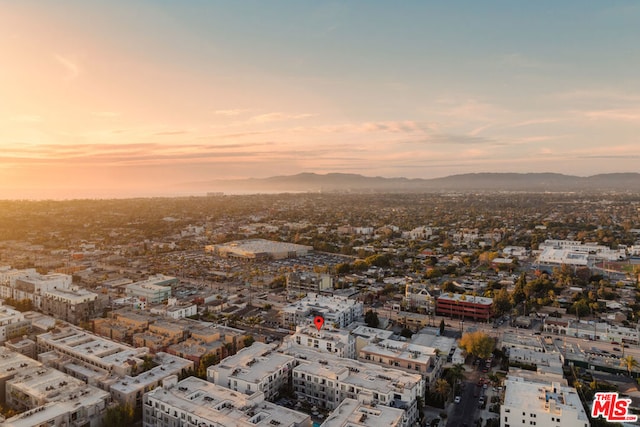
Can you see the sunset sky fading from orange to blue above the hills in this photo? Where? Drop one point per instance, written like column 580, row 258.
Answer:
column 121, row 98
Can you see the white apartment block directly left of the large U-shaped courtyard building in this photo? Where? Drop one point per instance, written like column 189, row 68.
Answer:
column 257, row 368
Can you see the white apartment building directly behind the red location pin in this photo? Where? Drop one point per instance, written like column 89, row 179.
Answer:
column 336, row 310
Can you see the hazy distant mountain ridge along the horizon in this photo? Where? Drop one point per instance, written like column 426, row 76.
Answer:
column 341, row 182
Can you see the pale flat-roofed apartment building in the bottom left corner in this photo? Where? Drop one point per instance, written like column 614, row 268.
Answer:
column 46, row 396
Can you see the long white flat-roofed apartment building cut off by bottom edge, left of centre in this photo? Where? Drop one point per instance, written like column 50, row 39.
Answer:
column 195, row 402
